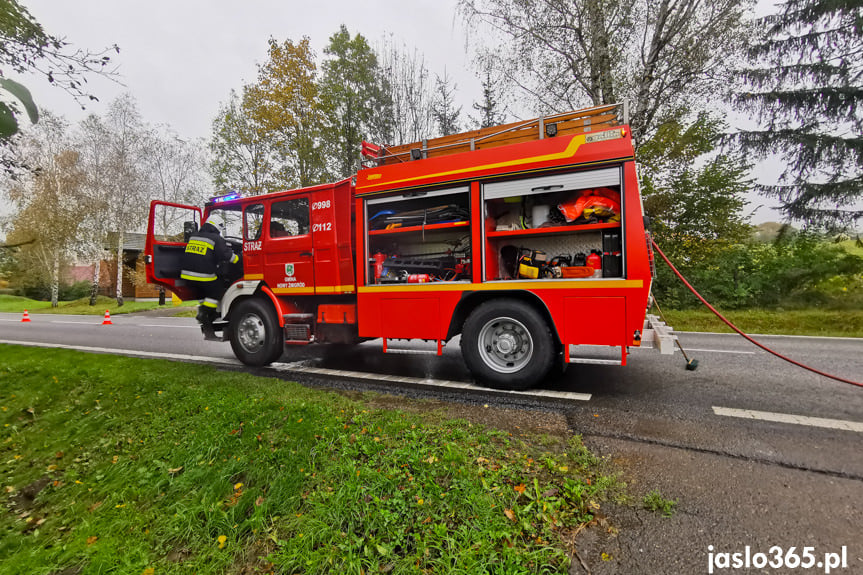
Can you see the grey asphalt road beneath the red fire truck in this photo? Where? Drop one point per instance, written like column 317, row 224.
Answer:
column 756, row 451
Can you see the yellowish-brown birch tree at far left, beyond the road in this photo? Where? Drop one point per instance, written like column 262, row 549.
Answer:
column 48, row 204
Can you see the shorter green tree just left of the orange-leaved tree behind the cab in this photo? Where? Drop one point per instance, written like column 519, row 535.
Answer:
column 243, row 158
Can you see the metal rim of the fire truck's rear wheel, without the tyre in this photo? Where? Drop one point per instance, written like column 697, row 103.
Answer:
column 505, row 345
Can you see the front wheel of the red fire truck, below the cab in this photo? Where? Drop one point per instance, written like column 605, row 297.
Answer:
column 255, row 334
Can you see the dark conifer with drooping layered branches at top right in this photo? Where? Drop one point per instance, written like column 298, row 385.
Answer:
column 804, row 87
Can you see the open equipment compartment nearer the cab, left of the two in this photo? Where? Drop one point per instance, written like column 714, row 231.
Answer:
column 419, row 236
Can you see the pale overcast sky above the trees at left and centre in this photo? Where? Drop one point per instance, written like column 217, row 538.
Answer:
column 181, row 58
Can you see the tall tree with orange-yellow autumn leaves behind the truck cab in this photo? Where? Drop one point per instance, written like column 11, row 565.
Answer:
column 286, row 105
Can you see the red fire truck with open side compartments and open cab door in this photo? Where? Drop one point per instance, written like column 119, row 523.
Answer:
column 526, row 240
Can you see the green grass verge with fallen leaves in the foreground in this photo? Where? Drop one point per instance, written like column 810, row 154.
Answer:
column 122, row 465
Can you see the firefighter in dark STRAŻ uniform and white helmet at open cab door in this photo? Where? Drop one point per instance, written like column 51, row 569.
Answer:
column 206, row 250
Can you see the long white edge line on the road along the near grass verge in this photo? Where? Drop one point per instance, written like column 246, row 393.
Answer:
column 302, row 367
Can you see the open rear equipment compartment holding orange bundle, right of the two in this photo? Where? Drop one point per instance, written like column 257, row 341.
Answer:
column 528, row 237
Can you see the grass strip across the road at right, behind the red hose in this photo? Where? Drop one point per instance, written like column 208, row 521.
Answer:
column 838, row 323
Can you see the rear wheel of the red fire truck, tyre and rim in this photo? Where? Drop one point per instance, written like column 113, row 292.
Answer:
column 507, row 344
